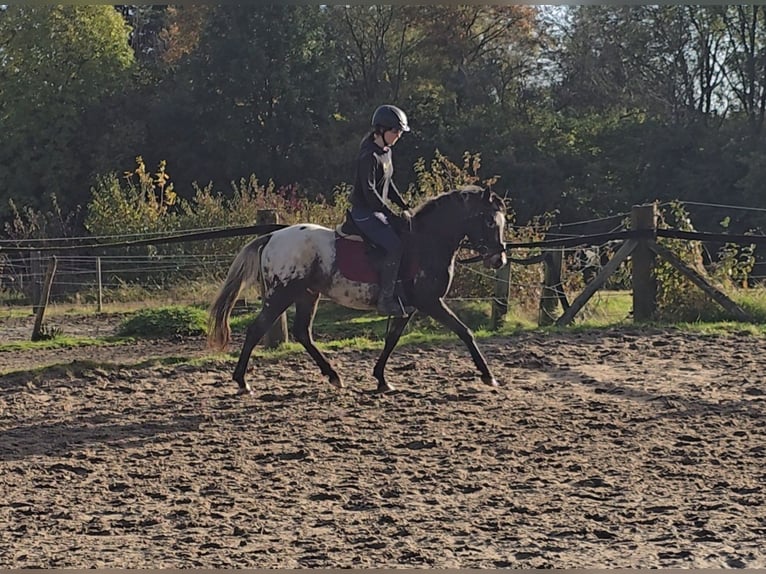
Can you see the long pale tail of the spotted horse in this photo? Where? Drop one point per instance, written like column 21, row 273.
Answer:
column 245, row 270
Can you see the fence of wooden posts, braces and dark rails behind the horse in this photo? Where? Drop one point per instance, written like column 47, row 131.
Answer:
column 87, row 260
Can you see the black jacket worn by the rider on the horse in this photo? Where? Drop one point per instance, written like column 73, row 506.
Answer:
column 374, row 188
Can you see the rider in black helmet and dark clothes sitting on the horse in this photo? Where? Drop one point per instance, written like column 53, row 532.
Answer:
column 373, row 193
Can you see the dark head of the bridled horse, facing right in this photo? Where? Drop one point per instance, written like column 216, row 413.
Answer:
column 486, row 225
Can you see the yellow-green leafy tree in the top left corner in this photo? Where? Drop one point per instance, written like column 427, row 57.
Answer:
column 56, row 62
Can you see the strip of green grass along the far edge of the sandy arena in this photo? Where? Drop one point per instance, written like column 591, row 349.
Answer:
column 336, row 327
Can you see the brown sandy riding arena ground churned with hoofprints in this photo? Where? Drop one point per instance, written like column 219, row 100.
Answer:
column 612, row 449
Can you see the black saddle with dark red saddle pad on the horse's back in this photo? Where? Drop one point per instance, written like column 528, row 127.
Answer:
column 358, row 259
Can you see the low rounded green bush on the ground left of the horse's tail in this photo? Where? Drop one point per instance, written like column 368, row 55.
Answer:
column 165, row 322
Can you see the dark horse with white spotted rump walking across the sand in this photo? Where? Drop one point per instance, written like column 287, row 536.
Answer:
column 299, row 263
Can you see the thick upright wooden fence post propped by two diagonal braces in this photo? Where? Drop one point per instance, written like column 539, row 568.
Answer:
column 644, row 218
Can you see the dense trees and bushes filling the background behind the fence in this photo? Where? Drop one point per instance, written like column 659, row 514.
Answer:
column 585, row 113
